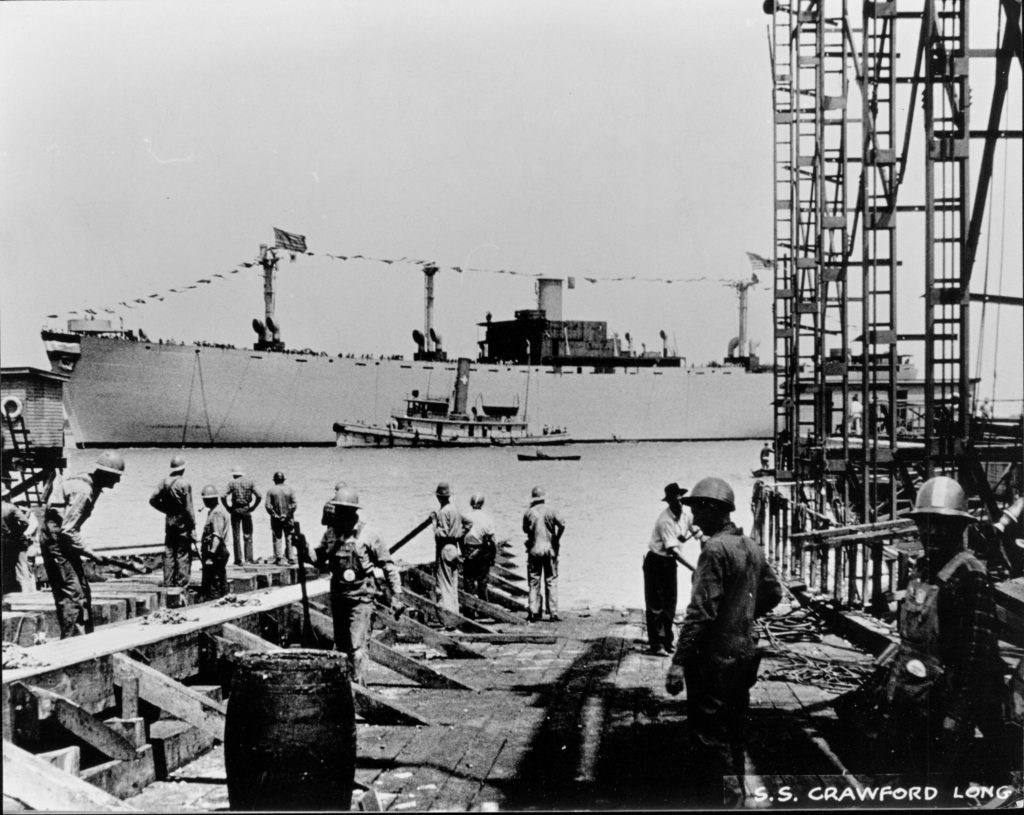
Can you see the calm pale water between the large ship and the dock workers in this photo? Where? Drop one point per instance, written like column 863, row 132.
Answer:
column 610, row 499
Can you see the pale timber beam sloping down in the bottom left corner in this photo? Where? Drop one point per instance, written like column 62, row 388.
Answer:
column 39, row 786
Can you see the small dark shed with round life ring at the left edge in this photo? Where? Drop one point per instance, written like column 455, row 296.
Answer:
column 36, row 397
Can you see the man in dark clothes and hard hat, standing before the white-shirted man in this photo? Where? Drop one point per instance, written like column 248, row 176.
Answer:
column 716, row 655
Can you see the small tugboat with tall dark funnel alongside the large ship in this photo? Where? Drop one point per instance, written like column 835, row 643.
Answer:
column 444, row 422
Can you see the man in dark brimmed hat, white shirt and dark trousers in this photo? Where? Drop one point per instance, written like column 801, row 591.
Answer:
column 660, row 587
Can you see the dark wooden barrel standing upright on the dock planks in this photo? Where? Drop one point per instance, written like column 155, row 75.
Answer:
column 290, row 734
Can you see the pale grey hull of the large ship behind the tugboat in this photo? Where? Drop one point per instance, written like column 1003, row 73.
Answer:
column 127, row 394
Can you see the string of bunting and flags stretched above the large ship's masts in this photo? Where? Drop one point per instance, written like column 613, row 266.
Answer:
column 295, row 245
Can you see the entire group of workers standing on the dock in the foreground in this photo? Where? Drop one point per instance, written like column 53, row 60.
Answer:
column 942, row 688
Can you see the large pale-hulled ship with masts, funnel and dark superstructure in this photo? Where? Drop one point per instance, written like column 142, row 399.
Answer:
column 125, row 391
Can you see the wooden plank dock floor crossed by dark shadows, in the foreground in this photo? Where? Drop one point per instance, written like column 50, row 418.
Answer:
column 582, row 722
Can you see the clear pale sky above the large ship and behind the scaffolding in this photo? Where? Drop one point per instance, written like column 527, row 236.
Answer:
column 146, row 146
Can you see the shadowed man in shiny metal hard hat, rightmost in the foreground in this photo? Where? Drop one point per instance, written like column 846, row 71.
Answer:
column 947, row 679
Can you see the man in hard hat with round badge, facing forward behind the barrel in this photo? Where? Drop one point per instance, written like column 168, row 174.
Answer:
column 351, row 550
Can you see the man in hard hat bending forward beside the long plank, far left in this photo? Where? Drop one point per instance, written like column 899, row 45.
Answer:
column 68, row 505
